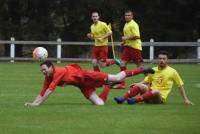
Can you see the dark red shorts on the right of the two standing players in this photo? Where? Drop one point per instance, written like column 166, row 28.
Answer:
column 131, row 54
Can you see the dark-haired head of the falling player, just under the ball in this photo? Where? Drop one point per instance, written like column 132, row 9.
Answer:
column 47, row 68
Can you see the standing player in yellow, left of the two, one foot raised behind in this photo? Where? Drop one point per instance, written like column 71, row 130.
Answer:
column 100, row 32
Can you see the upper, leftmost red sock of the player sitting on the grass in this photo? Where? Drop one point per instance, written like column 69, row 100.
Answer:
column 132, row 92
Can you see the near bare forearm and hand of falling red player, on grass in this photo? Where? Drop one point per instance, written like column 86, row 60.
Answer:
column 39, row 99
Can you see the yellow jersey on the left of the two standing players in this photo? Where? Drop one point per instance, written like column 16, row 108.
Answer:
column 98, row 30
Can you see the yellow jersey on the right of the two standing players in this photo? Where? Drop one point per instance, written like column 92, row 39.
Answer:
column 132, row 29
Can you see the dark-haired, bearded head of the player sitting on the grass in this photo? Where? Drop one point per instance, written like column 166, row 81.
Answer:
column 162, row 58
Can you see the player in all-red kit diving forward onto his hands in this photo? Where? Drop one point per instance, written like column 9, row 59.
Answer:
column 84, row 79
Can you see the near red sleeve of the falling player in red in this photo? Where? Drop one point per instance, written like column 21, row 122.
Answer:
column 56, row 79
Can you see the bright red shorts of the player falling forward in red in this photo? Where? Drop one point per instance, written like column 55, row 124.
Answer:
column 92, row 80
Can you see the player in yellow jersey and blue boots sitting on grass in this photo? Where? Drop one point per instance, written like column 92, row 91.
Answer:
column 156, row 87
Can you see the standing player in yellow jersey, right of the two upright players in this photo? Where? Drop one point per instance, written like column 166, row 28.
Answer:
column 131, row 44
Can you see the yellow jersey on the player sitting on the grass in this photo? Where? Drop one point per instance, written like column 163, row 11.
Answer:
column 162, row 80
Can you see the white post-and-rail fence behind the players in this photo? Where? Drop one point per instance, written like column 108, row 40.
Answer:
column 59, row 43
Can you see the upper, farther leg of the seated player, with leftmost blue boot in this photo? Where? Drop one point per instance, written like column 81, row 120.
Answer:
column 134, row 90
